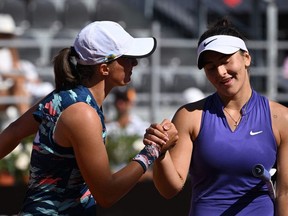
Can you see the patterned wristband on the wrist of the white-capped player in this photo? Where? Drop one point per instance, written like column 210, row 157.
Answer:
column 147, row 156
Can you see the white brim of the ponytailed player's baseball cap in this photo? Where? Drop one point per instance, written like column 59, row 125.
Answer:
column 142, row 47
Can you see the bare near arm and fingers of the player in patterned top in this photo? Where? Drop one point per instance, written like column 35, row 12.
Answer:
column 79, row 126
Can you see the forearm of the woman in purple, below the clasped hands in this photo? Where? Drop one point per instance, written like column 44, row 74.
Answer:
column 166, row 178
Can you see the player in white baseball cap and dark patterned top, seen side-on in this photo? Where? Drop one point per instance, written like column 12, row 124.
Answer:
column 70, row 171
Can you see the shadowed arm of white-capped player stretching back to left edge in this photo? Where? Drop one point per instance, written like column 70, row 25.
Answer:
column 23, row 127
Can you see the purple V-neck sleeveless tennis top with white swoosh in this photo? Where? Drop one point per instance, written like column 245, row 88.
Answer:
column 222, row 161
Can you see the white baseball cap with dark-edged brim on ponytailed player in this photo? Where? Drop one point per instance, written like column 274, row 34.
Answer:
column 103, row 41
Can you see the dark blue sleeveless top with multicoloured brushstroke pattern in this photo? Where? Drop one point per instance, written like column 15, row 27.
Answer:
column 56, row 186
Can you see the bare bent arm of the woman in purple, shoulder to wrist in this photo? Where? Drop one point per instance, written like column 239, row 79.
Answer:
column 170, row 172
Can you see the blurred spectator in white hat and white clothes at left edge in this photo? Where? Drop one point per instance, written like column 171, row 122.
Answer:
column 18, row 77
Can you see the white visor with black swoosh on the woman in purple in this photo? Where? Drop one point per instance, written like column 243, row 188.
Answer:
column 224, row 44
